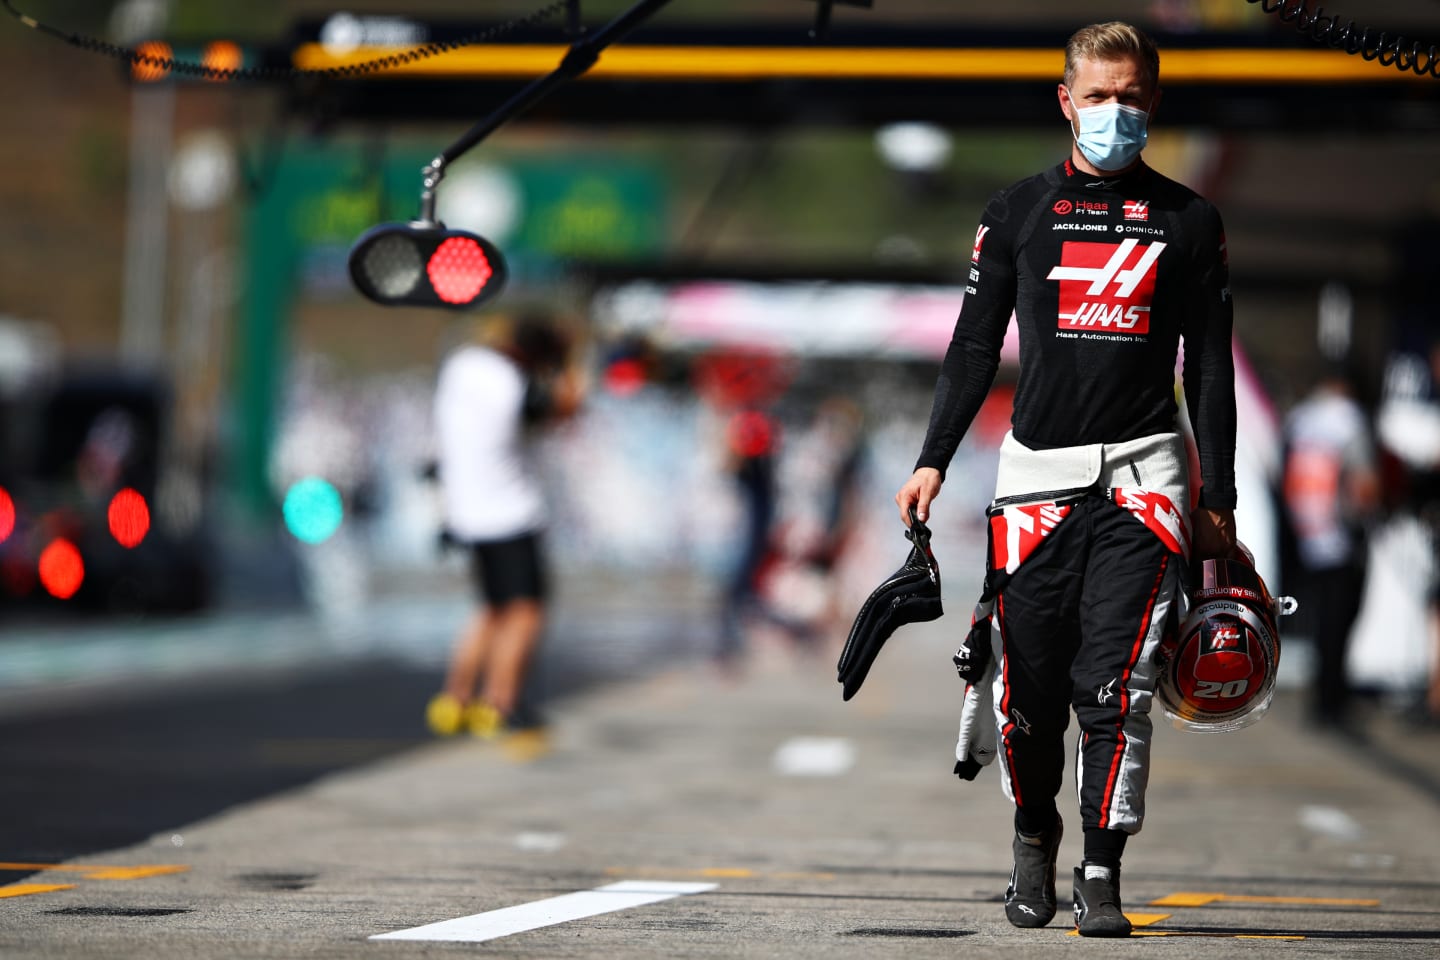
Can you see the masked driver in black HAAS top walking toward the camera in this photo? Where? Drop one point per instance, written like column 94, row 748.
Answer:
column 1107, row 266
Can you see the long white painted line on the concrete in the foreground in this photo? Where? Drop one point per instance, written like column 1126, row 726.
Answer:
column 546, row 913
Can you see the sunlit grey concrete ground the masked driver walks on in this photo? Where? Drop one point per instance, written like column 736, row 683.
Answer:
column 1288, row 843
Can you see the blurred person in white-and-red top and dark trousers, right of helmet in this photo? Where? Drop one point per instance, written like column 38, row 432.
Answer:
column 1331, row 489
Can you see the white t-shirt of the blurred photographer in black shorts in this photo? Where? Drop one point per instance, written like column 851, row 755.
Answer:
column 489, row 484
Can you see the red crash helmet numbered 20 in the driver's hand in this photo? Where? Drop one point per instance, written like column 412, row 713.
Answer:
column 1218, row 671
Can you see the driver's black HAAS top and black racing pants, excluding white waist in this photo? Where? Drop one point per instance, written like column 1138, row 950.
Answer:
column 1105, row 277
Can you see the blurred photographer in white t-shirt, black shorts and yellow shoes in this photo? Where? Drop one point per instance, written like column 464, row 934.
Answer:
column 492, row 399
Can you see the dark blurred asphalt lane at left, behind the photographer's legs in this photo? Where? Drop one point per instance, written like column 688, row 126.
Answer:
column 114, row 730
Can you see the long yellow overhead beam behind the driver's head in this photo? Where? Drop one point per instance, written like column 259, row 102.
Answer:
column 863, row 64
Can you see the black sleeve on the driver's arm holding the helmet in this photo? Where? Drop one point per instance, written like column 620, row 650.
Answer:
column 1209, row 368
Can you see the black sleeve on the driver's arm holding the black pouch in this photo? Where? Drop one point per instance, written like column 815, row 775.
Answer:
column 980, row 332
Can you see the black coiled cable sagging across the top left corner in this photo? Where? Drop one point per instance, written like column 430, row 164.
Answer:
column 165, row 64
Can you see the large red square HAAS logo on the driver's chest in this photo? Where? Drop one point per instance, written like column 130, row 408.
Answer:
column 1107, row 286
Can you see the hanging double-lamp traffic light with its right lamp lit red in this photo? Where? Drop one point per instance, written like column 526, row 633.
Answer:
column 427, row 266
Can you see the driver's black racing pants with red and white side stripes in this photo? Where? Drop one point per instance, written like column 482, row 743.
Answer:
column 1081, row 620
